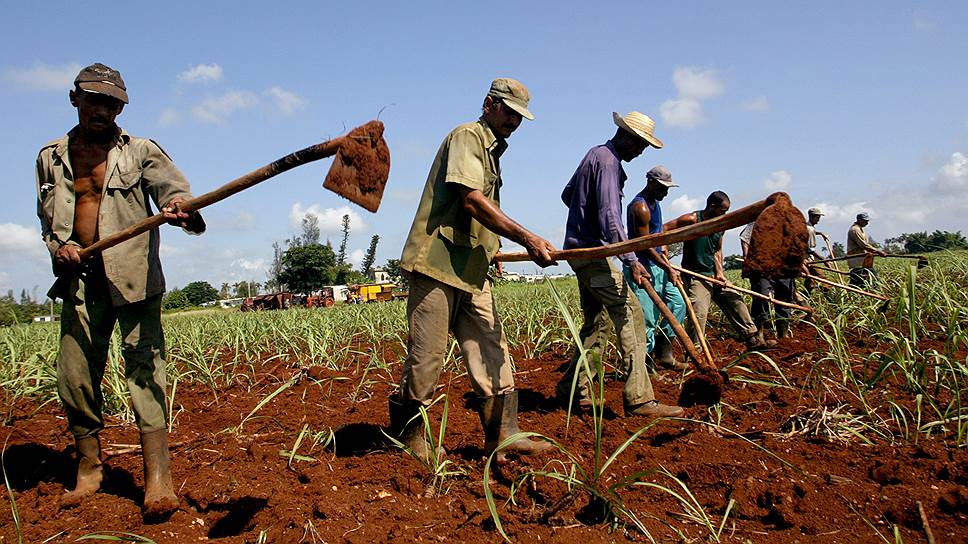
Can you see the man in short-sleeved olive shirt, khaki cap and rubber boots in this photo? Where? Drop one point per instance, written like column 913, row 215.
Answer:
column 451, row 243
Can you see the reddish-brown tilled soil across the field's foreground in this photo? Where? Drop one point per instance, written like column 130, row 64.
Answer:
column 235, row 485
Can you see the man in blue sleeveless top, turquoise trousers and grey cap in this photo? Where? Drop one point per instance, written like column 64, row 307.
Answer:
column 644, row 218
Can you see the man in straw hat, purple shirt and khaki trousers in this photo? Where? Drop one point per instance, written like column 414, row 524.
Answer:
column 594, row 199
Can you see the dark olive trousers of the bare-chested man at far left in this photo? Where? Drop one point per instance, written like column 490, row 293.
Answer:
column 87, row 323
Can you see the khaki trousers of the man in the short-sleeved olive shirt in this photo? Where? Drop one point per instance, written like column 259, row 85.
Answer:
column 434, row 309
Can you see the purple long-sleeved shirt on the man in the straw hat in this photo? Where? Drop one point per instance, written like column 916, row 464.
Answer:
column 594, row 199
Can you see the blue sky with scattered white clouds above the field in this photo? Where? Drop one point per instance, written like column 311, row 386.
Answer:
column 848, row 105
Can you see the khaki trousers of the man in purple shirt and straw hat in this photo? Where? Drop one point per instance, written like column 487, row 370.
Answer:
column 605, row 295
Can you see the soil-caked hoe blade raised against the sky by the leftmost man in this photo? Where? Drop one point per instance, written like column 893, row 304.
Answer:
column 361, row 167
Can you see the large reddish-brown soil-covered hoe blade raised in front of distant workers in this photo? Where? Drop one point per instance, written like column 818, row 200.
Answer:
column 778, row 244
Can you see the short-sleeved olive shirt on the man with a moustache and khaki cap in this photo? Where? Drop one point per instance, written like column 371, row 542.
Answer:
column 445, row 242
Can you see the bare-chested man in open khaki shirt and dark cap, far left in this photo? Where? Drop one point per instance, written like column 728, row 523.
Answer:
column 91, row 183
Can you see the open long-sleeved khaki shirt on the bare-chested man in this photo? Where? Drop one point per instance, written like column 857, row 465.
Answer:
column 137, row 170
